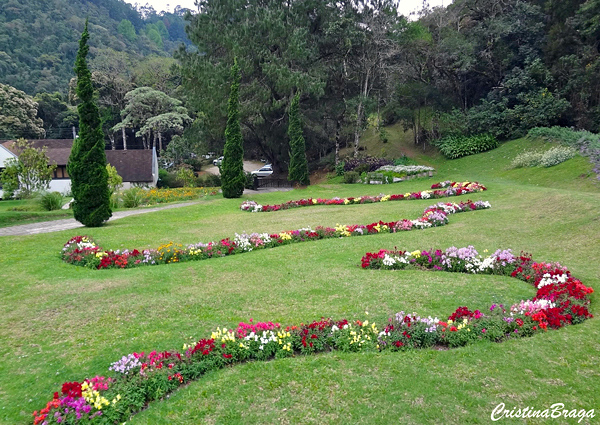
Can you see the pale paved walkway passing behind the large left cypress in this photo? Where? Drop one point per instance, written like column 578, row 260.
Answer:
column 71, row 223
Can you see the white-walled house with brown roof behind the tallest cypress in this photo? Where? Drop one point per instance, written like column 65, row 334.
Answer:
column 136, row 167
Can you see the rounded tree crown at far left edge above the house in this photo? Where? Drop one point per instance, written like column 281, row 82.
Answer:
column 18, row 115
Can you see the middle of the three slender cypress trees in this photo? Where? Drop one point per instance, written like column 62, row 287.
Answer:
column 233, row 178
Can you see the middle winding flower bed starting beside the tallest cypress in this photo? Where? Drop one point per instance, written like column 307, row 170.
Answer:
column 83, row 251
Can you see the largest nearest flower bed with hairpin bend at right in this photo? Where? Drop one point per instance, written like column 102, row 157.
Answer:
column 139, row 378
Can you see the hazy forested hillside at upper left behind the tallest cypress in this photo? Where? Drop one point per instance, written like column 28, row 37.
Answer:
column 38, row 39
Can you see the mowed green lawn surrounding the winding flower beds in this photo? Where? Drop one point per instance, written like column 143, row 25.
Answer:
column 63, row 323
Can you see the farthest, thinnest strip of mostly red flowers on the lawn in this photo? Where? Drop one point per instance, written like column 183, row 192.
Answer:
column 438, row 190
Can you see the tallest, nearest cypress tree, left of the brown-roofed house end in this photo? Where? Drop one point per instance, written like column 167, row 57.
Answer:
column 87, row 163
